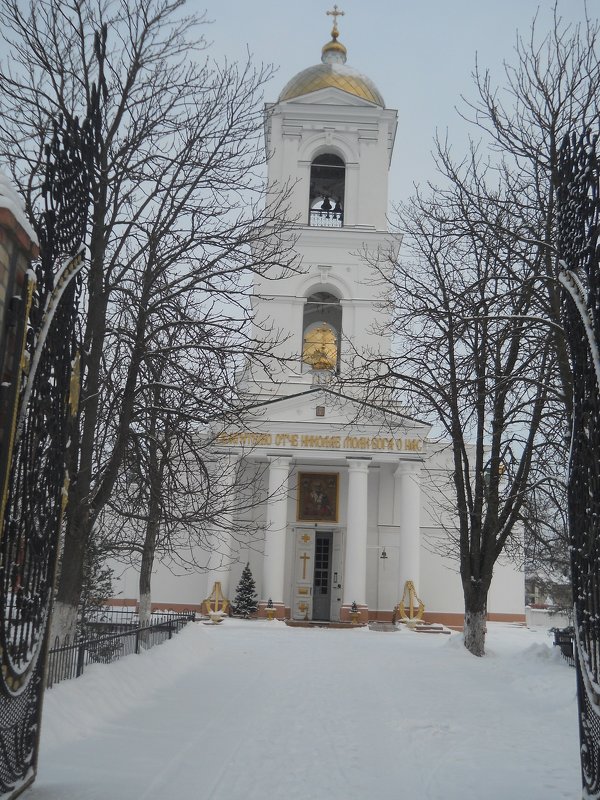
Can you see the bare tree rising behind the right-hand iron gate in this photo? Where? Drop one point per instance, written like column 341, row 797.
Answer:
column 550, row 88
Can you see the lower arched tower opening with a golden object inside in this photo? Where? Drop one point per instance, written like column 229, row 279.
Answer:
column 321, row 332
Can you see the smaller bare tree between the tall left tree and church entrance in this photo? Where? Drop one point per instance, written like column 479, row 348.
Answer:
column 173, row 497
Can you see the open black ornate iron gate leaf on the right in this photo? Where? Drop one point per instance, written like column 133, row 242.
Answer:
column 578, row 231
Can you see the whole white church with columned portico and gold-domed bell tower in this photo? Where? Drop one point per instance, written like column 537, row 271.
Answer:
column 350, row 501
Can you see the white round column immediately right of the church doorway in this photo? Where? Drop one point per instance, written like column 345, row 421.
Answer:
column 355, row 578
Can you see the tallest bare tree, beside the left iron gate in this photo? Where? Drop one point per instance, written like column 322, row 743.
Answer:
column 177, row 203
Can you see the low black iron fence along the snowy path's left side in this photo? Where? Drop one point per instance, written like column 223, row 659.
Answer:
column 68, row 660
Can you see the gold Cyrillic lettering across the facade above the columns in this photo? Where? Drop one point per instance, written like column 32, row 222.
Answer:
column 379, row 443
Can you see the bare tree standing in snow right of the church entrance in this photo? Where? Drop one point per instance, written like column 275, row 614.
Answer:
column 470, row 357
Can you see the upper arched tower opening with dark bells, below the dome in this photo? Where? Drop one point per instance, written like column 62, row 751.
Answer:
column 327, row 182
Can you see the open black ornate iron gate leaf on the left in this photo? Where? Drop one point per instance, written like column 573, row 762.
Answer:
column 32, row 466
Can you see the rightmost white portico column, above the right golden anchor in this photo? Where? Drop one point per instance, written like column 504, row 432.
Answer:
column 407, row 514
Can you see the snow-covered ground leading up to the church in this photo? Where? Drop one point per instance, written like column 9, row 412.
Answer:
column 259, row 711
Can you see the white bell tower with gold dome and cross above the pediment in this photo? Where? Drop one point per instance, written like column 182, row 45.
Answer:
column 329, row 137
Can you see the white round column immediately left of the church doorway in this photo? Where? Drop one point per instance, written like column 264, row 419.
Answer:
column 275, row 530
